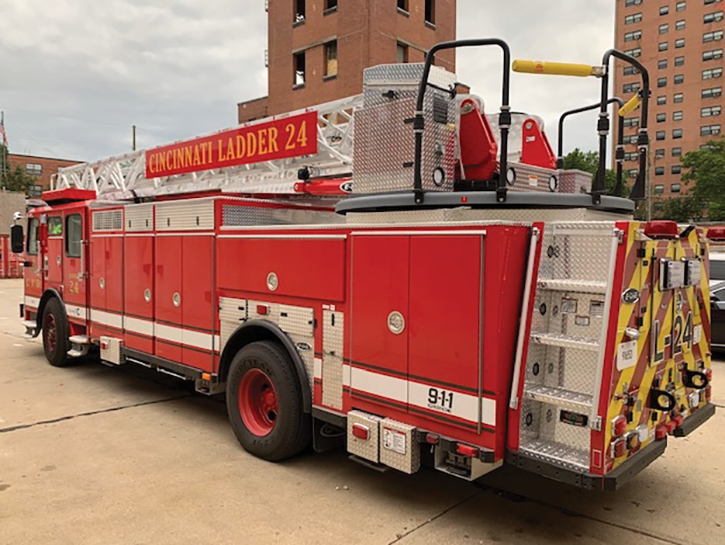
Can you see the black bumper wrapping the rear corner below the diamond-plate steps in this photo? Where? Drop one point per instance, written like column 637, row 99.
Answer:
column 614, row 480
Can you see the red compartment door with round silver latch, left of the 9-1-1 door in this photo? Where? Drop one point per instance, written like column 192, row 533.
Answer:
column 379, row 353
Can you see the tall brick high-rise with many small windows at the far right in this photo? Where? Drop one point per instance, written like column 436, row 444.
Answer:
column 681, row 45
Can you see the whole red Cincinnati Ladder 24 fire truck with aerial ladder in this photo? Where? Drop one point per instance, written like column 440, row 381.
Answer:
column 397, row 273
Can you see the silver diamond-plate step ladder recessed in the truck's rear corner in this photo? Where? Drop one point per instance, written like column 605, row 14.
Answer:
column 566, row 353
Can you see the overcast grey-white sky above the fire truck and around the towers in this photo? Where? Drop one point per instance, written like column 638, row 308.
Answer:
column 75, row 75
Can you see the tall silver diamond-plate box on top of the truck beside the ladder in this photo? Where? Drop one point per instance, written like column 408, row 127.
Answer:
column 384, row 148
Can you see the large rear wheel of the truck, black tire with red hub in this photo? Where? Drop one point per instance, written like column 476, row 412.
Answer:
column 264, row 402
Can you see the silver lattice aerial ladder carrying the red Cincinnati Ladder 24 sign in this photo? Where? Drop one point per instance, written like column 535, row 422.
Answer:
column 125, row 176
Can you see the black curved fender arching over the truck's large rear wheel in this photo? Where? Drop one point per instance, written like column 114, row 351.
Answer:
column 264, row 330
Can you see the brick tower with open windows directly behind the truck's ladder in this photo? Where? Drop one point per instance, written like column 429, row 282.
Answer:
column 318, row 49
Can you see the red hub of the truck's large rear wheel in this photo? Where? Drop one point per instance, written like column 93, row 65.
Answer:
column 258, row 402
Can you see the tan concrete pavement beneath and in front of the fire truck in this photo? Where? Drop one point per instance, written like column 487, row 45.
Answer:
column 91, row 454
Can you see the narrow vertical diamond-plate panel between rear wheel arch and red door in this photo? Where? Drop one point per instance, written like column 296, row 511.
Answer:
column 332, row 353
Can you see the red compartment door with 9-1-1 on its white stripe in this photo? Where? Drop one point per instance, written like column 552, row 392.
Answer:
column 445, row 351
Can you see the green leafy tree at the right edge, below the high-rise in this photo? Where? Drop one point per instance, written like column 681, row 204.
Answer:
column 705, row 170
